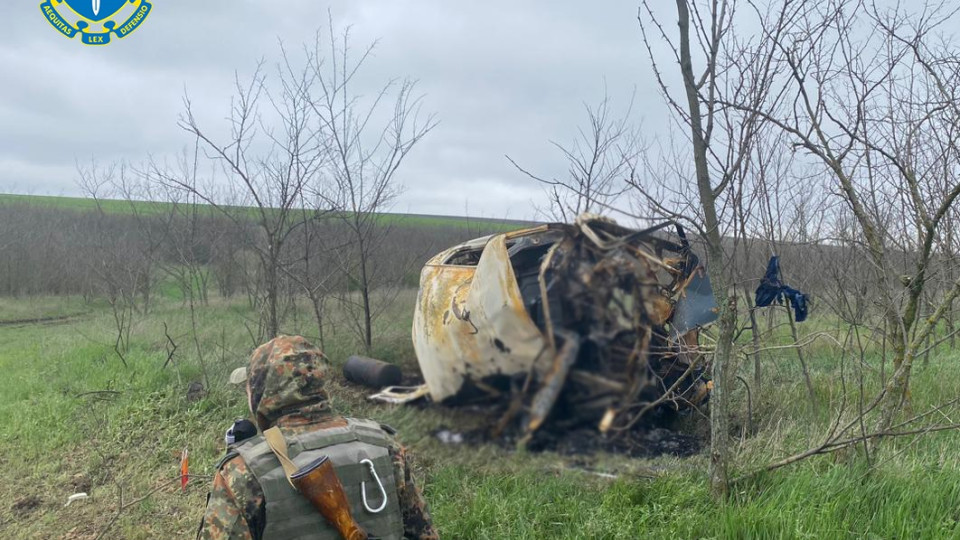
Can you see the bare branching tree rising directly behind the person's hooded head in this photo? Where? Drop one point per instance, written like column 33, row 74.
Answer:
column 268, row 160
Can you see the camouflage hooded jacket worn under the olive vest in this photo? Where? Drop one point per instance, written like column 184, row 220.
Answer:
column 285, row 383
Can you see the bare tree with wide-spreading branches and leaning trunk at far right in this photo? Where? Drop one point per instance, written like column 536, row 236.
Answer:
column 875, row 120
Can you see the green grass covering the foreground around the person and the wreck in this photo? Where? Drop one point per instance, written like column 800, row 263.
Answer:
column 75, row 419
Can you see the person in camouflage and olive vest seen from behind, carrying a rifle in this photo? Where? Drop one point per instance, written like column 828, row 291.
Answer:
column 253, row 495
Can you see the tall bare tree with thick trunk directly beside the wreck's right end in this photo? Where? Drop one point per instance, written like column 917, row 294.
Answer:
column 721, row 143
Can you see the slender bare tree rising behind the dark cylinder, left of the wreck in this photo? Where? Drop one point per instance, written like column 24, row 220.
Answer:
column 364, row 159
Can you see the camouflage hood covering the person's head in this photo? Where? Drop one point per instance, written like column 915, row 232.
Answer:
column 285, row 379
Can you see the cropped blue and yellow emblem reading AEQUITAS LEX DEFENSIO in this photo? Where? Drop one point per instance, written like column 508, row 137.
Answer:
column 96, row 20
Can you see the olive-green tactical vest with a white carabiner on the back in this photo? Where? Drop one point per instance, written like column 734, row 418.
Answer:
column 289, row 516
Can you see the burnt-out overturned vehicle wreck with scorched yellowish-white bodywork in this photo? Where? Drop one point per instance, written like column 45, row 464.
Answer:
column 573, row 324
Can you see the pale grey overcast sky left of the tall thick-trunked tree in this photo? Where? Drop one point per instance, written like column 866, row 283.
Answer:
column 503, row 77
